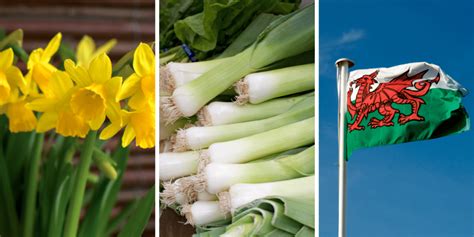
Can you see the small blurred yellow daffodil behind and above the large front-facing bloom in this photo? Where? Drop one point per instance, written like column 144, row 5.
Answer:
column 86, row 50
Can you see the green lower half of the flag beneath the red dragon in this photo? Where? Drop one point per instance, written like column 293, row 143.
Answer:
column 443, row 115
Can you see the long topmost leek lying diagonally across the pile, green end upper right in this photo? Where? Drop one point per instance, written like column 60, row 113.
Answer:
column 285, row 37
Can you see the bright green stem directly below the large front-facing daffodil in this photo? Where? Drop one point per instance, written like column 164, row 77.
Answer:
column 74, row 211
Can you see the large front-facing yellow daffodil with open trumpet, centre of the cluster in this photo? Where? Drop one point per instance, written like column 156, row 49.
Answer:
column 96, row 91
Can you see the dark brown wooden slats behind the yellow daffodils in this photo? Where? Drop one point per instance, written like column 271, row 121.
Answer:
column 129, row 21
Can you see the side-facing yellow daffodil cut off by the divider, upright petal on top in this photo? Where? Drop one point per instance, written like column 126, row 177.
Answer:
column 140, row 86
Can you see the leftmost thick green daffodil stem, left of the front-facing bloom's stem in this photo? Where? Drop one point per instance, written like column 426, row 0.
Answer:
column 32, row 187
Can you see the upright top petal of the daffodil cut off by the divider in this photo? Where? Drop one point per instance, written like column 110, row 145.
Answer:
column 144, row 60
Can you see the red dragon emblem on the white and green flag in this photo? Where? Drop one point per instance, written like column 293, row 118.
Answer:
column 399, row 90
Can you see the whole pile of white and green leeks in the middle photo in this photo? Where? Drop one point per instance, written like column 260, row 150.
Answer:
column 244, row 167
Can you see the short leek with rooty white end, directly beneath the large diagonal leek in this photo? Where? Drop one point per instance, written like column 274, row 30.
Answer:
column 262, row 86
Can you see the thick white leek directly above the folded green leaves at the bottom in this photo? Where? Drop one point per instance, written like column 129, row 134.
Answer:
column 242, row 194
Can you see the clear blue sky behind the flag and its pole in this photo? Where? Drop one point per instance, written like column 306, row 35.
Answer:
column 419, row 189
